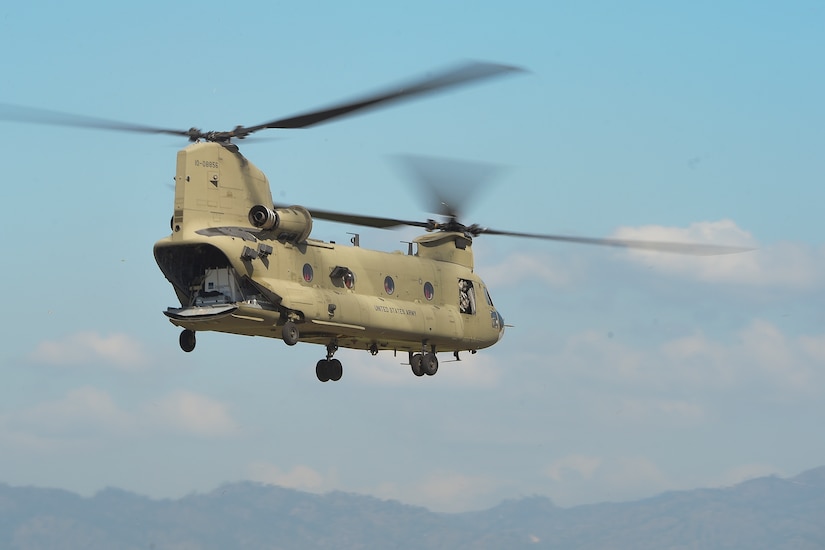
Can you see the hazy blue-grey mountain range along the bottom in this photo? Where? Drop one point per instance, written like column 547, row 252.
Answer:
column 770, row 513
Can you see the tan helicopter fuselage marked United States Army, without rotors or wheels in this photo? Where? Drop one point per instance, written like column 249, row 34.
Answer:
column 235, row 276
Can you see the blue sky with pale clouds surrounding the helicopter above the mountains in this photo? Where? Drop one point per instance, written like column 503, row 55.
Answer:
column 625, row 374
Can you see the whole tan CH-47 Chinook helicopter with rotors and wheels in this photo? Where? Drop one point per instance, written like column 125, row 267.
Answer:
column 241, row 264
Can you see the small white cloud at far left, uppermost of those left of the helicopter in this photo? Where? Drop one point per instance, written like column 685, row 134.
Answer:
column 81, row 348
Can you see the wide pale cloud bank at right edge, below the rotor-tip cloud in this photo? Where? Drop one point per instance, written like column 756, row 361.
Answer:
column 758, row 353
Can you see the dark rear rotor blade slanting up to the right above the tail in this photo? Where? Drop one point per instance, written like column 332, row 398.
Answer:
column 462, row 74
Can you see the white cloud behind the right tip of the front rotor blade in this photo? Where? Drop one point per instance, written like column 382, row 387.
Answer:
column 780, row 264
